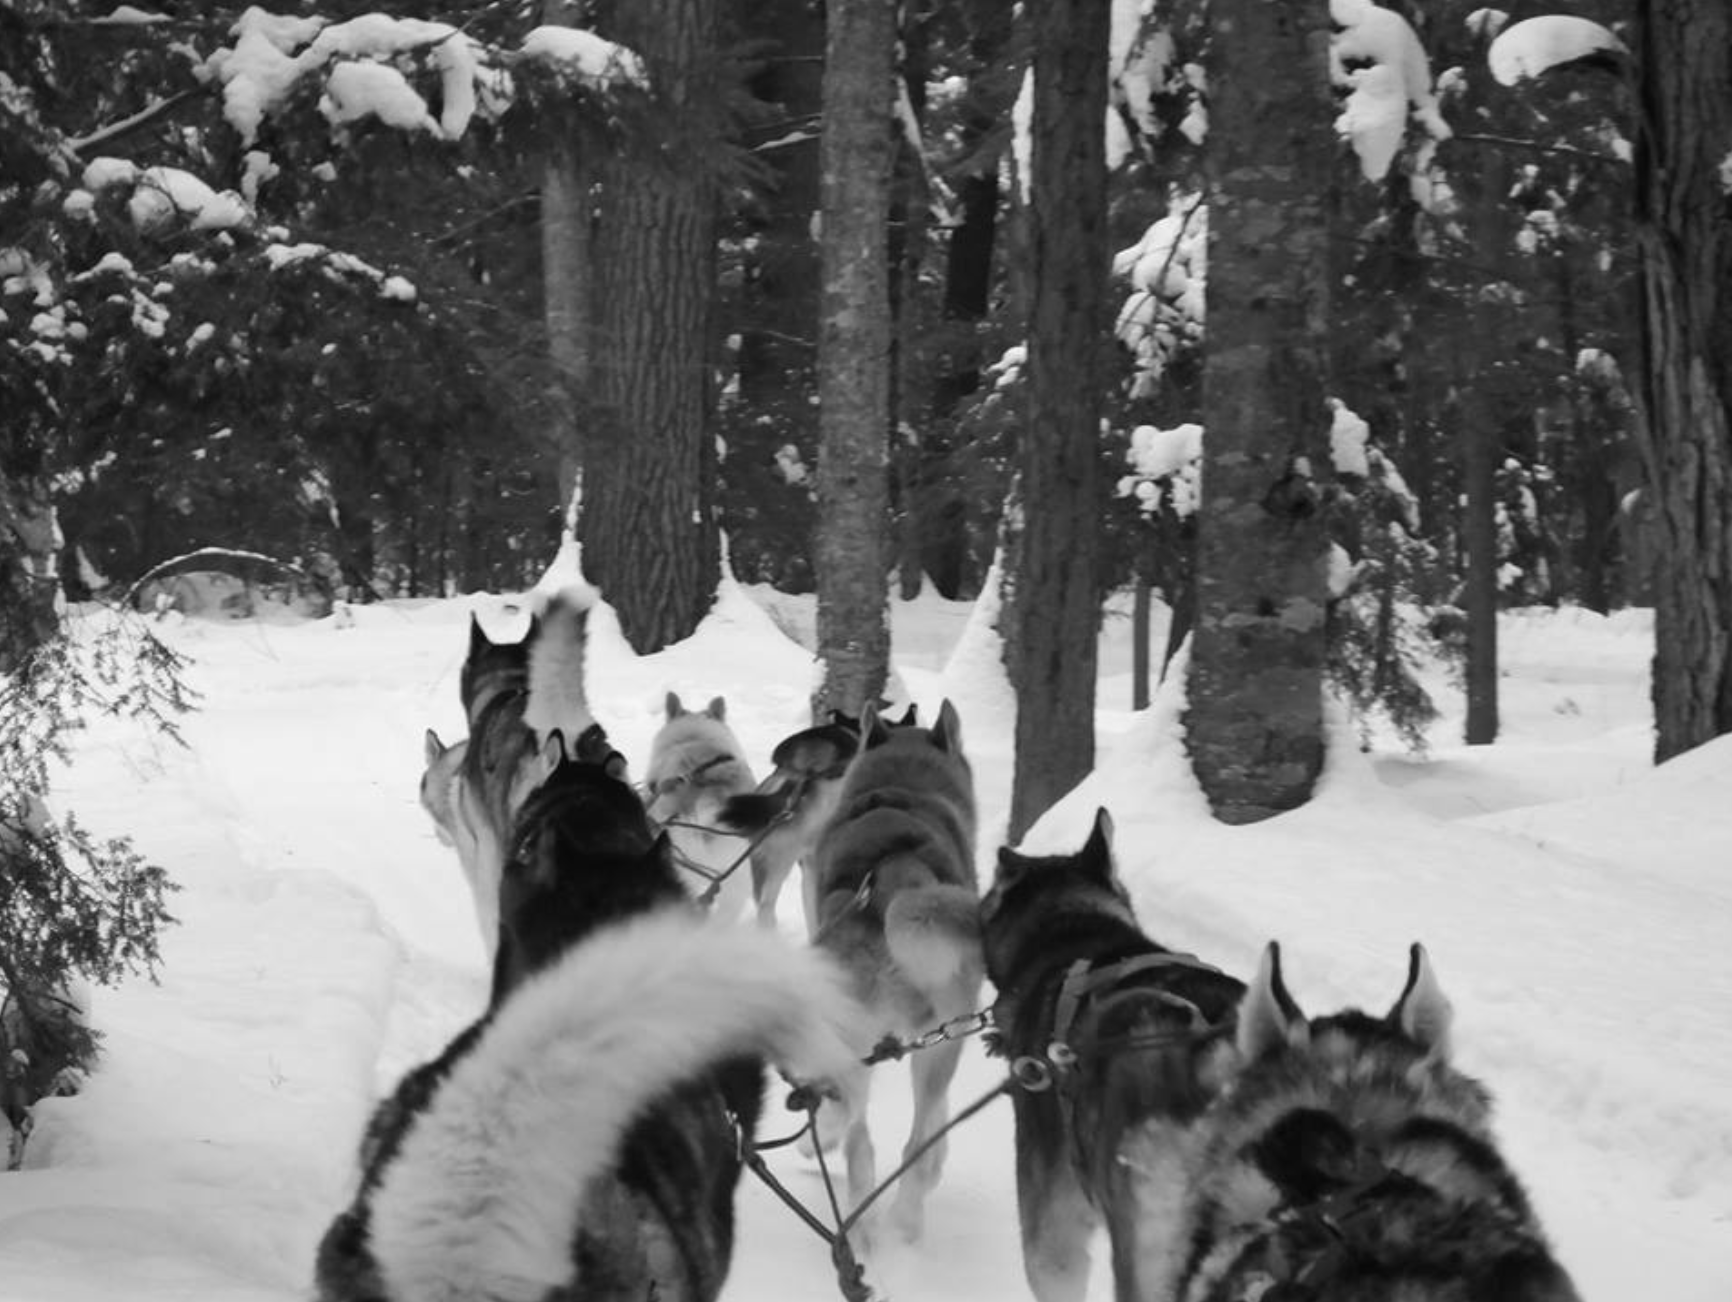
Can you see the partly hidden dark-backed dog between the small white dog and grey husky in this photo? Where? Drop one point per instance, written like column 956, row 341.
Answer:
column 792, row 806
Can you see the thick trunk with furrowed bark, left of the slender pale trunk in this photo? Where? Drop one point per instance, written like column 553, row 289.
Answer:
column 649, row 525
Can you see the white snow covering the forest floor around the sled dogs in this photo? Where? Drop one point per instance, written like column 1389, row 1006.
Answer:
column 1574, row 898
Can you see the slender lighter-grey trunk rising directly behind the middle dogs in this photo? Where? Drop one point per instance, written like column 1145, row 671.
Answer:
column 855, row 358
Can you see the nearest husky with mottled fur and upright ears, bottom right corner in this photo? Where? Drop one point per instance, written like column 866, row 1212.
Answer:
column 1350, row 1161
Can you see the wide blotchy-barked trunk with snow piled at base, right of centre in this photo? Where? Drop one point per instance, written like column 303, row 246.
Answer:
column 1257, row 673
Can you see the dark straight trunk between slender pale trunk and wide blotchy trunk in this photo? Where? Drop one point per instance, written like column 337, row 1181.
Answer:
column 1056, row 609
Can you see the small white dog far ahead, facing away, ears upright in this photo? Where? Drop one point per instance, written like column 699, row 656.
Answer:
column 695, row 768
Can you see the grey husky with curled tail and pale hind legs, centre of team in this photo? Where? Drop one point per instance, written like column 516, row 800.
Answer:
column 896, row 903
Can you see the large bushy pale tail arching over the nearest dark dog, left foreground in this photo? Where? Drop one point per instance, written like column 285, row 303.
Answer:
column 486, row 1194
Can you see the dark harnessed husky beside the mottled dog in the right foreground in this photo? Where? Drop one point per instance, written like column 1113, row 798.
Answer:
column 1108, row 1033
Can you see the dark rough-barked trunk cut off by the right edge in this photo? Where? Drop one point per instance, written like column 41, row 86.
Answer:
column 1684, row 387
